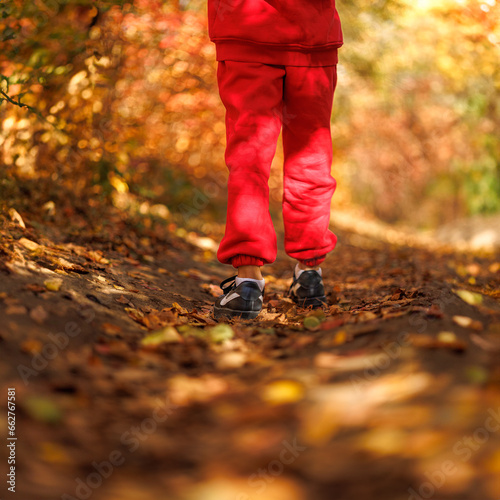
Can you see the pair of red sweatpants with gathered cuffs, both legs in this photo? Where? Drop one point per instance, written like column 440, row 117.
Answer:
column 260, row 99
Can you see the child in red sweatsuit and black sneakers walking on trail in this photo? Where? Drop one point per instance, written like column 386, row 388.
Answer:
column 277, row 69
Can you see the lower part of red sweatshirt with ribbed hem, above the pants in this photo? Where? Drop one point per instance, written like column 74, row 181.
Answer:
column 283, row 32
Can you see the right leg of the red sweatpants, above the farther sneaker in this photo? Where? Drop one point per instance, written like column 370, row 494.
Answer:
column 307, row 145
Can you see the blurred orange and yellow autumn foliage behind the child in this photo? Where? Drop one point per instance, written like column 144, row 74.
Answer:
column 117, row 106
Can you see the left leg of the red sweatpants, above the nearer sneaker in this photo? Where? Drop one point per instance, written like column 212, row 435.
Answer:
column 252, row 94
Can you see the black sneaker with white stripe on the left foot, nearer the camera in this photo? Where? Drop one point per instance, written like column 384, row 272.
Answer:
column 243, row 301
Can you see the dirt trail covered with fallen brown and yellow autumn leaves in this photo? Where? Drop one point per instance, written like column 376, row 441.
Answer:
column 126, row 388
